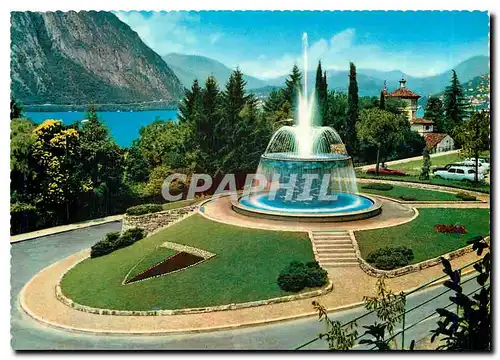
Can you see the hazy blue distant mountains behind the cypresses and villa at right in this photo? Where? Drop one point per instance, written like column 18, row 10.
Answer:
column 371, row 81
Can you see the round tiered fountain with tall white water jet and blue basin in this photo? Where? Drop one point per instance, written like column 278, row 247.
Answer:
column 306, row 173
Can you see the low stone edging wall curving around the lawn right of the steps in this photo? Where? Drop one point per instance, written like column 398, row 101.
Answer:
column 370, row 270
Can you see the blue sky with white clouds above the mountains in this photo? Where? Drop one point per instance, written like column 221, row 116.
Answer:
column 267, row 44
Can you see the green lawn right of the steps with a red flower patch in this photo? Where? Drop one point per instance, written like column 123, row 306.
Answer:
column 422, row 238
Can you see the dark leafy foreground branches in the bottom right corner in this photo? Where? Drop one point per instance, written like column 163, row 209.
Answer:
column 468, row 325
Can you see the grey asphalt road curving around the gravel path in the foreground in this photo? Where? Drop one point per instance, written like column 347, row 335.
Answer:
column 30, row 257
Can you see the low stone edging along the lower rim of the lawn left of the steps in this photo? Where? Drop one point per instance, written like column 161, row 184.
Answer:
column 65, row 300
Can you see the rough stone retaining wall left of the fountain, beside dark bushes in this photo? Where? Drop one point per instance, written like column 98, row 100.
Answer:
column 155, row 221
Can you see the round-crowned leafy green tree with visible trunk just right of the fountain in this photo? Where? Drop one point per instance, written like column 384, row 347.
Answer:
column 380, row 129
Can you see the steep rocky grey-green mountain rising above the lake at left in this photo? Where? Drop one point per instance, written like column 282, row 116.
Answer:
column 85, row 57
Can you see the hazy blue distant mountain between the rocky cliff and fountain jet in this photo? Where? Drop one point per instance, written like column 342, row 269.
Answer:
column 190, row 67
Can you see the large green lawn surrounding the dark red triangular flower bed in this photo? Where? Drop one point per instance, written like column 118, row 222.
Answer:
column 245, row 268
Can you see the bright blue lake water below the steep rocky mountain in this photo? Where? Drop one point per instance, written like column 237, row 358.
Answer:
column 123, row 125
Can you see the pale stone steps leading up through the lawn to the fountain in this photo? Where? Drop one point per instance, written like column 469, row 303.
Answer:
column 334, row 248
